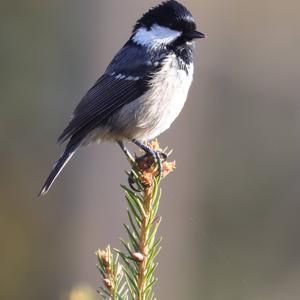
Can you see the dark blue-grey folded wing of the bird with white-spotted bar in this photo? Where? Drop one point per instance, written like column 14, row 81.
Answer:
column 124, row 81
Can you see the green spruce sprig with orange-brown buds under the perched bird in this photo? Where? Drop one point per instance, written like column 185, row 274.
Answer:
column 135, row 278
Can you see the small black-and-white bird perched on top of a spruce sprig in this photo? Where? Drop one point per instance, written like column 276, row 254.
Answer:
column 143, row 89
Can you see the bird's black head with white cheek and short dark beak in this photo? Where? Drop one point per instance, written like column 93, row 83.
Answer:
column 166, row 25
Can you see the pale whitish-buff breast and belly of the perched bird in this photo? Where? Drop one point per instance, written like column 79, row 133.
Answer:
column 154, row 112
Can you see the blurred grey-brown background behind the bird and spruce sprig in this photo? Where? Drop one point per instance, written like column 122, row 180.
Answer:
column 230, row 211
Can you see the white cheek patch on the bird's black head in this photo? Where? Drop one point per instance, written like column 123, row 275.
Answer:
column 156, row 37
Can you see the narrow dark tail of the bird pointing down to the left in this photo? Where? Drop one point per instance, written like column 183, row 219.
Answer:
column 63, row 160
